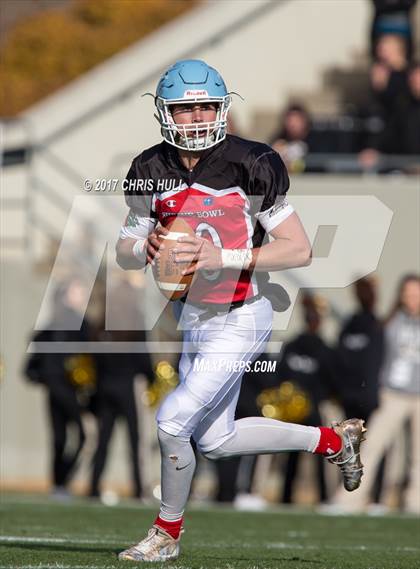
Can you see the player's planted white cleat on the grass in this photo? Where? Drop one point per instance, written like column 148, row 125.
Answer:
column 157, row 546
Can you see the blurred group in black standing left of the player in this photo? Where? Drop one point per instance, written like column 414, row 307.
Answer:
column 99, row 384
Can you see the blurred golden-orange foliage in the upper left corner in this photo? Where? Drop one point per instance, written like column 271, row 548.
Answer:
column 43, row 53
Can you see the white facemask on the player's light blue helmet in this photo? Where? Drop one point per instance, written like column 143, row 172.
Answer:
column 194, row 136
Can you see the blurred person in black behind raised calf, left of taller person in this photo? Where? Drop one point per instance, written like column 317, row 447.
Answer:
column 308, row 364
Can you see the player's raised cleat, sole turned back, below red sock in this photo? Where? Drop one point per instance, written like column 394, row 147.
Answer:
column 348, row 460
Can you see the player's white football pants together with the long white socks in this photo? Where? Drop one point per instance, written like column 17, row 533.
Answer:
column 215, row 355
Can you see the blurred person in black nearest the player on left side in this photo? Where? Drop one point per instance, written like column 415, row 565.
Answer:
column 116, row 374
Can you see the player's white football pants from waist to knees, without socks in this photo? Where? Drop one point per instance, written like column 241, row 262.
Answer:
column 215, row 353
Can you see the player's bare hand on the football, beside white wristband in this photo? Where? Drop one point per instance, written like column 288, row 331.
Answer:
column 198, row 251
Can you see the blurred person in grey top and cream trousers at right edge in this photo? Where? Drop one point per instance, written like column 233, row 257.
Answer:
column 399, row 398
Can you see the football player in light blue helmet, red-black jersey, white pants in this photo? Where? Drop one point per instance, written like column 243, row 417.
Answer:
column 211, row 179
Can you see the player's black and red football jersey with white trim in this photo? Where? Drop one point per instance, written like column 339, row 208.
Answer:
column 233, row 195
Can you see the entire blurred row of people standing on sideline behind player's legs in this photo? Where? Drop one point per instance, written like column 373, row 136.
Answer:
column 371, row 371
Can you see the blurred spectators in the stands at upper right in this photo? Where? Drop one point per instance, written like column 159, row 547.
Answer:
column 379, row 131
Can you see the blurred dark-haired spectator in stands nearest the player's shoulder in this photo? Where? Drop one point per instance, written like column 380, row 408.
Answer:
column 294, row 140
